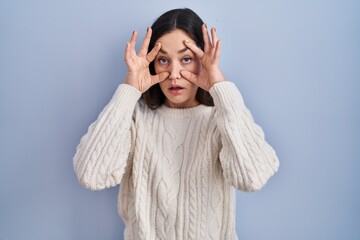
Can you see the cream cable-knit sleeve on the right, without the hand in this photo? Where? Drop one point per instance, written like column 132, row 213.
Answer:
column 247, row 160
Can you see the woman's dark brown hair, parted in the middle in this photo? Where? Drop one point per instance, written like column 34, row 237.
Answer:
column 188, row 21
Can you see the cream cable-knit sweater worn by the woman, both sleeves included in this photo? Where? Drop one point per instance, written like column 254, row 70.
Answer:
column 177, row 168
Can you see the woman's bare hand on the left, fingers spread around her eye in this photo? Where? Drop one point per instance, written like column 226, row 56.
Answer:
column 138, row 74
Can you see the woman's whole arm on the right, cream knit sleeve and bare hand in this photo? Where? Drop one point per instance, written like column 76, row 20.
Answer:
column 248, row 161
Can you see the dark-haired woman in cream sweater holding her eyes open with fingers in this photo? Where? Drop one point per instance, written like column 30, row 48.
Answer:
column 176, row 136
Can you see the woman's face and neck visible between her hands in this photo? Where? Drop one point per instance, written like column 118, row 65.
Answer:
column 173, row 57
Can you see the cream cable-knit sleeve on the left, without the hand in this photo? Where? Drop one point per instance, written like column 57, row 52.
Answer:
column 103, row 152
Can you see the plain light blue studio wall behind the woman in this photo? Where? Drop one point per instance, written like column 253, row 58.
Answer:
column 297, row 64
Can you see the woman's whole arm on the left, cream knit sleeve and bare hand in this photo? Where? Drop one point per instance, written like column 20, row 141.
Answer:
column 102, row 154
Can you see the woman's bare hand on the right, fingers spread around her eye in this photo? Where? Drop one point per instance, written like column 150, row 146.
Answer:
column 210, row 72
